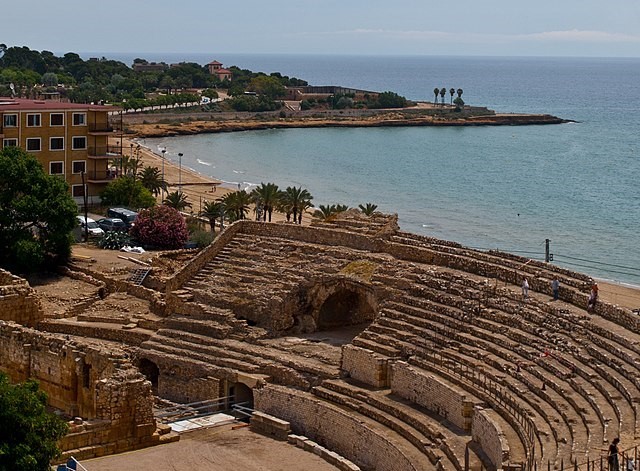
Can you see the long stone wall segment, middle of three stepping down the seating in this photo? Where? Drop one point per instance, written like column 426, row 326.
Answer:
column 432, row 393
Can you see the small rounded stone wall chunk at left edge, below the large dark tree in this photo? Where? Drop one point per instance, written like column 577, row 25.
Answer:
column 18, row 301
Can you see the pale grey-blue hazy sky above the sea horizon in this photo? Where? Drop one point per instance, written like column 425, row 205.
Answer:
column 595, row 28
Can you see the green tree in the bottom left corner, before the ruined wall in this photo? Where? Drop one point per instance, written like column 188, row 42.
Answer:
column 28, row 433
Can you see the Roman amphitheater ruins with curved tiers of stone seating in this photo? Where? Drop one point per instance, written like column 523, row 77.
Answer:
column 388, row 350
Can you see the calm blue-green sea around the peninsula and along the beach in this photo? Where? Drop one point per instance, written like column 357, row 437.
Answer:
column 507, row 187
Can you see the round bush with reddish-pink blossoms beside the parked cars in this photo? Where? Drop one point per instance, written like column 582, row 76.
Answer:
column 160, row 226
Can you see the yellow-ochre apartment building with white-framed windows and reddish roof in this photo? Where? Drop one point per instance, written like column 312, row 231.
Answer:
column 68, row 139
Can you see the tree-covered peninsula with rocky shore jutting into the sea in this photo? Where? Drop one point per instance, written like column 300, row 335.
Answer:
column 159, row 99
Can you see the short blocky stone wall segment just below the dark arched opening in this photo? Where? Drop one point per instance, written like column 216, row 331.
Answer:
column 365, row 365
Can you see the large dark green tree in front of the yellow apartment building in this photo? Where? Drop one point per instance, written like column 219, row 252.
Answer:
column 37, row 213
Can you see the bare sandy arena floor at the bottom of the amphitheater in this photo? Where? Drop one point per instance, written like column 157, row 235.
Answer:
column 215, row 449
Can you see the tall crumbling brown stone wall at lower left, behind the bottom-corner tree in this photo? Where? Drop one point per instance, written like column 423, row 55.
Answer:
column 100, row 386
